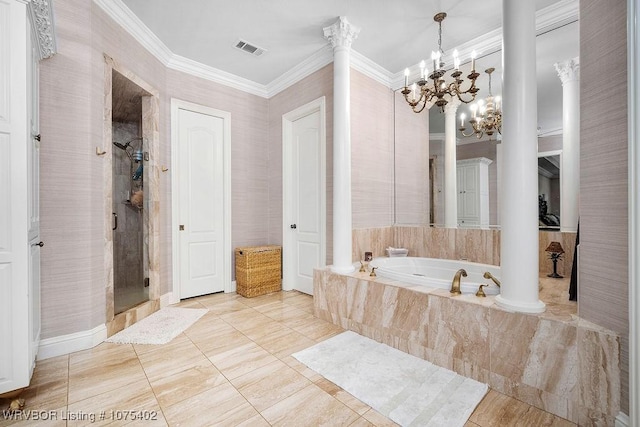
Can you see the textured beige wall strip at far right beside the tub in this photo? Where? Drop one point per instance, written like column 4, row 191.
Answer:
column 603, row 287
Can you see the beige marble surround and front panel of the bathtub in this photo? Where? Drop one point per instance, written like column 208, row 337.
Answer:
column 554, row 360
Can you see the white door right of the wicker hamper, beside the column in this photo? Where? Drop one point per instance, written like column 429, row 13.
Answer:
column 305, row 211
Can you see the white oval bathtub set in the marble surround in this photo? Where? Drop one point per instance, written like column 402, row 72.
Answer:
column 437, row 273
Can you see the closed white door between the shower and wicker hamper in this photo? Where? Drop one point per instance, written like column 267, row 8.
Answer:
column 201, row 203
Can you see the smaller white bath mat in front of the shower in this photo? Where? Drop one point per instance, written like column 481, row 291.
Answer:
column 160, row 327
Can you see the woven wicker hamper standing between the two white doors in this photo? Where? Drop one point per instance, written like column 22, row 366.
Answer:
column 258, row 270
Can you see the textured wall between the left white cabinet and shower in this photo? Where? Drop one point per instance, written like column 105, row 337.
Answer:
column 71, row 199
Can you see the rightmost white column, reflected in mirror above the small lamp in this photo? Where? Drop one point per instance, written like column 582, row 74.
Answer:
column 569, row 73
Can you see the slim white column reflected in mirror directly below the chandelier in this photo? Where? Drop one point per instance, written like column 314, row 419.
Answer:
column 450, row 168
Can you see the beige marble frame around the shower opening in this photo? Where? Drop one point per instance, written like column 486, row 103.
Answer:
column 151, row 220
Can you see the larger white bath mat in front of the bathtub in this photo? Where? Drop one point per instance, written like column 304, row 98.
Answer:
column 404, row 388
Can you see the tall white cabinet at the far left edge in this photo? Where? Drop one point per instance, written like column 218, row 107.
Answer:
column 19, row 262
